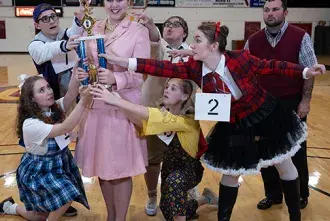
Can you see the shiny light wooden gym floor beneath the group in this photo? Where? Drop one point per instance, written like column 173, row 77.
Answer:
column 250, row 192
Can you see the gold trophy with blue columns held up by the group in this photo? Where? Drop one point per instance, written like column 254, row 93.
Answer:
column 88, row 24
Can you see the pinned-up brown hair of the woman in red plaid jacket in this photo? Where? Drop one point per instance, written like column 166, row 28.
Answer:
column 212, row 35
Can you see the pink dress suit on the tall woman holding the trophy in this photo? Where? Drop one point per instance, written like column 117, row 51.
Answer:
column 109, row 146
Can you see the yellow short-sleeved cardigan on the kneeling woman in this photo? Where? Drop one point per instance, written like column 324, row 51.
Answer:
column 186, row 127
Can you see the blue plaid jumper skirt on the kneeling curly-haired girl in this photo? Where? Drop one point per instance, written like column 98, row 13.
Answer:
column 46, row 183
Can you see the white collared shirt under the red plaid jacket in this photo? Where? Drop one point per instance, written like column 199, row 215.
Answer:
column 225, row 76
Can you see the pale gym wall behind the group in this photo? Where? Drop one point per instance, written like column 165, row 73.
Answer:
column 20, row 31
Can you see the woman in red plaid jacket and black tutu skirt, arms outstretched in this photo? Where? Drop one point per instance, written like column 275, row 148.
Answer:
column 254, row 114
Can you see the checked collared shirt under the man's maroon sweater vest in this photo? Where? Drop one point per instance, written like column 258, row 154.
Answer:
column 307, row 56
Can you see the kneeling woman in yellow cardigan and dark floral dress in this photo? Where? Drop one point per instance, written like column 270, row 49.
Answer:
column 174, row 124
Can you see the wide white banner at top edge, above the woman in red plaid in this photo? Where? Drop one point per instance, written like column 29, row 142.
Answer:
column 212, row 3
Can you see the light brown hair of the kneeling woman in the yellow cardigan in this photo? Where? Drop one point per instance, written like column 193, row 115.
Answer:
column 187, row 87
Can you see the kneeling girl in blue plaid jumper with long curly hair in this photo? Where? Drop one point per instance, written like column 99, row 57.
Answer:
column 47, row 177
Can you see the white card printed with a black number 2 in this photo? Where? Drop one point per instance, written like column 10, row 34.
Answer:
column 212, row 107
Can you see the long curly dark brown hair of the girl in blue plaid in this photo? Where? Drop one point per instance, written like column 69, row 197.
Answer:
column 27, row 108
